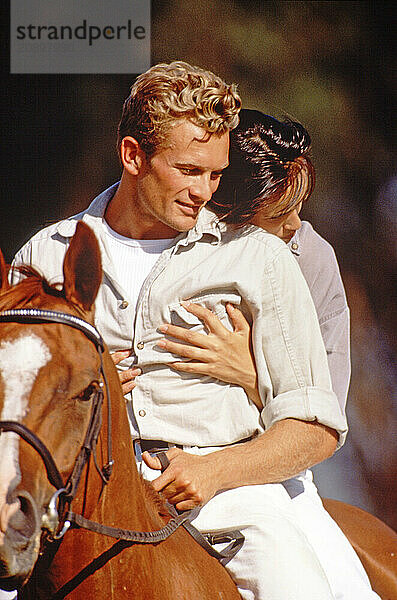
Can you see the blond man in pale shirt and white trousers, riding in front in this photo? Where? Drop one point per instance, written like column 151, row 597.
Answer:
column 160, row 246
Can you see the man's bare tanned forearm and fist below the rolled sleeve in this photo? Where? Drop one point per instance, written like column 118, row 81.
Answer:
column 287, row 448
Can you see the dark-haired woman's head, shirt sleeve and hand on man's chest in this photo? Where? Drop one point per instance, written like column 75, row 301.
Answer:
column 269, row 177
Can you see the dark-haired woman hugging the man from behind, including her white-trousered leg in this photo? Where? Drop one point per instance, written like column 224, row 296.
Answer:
column 269, row 177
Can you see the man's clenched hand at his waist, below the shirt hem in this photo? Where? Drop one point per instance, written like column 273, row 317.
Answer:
column 188, row 481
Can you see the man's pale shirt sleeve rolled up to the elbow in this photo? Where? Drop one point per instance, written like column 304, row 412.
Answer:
column 293, row 374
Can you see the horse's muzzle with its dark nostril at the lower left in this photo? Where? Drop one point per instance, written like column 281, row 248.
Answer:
column 19, row 550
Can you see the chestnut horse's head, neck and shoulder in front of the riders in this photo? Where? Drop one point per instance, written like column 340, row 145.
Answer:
column 64, row 426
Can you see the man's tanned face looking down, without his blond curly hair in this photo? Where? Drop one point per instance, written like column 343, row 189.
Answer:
column 178, row 180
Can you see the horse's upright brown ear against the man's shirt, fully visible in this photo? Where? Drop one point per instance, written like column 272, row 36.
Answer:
column 82, row 270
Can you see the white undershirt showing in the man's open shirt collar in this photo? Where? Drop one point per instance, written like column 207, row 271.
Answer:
column 133, row 260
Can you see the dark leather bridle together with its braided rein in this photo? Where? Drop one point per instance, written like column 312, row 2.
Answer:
column 65, row 493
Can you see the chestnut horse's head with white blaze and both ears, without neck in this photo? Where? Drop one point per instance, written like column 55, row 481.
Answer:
column 48, row 375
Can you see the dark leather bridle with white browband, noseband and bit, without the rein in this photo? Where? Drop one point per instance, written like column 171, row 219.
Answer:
column 65, row 492
